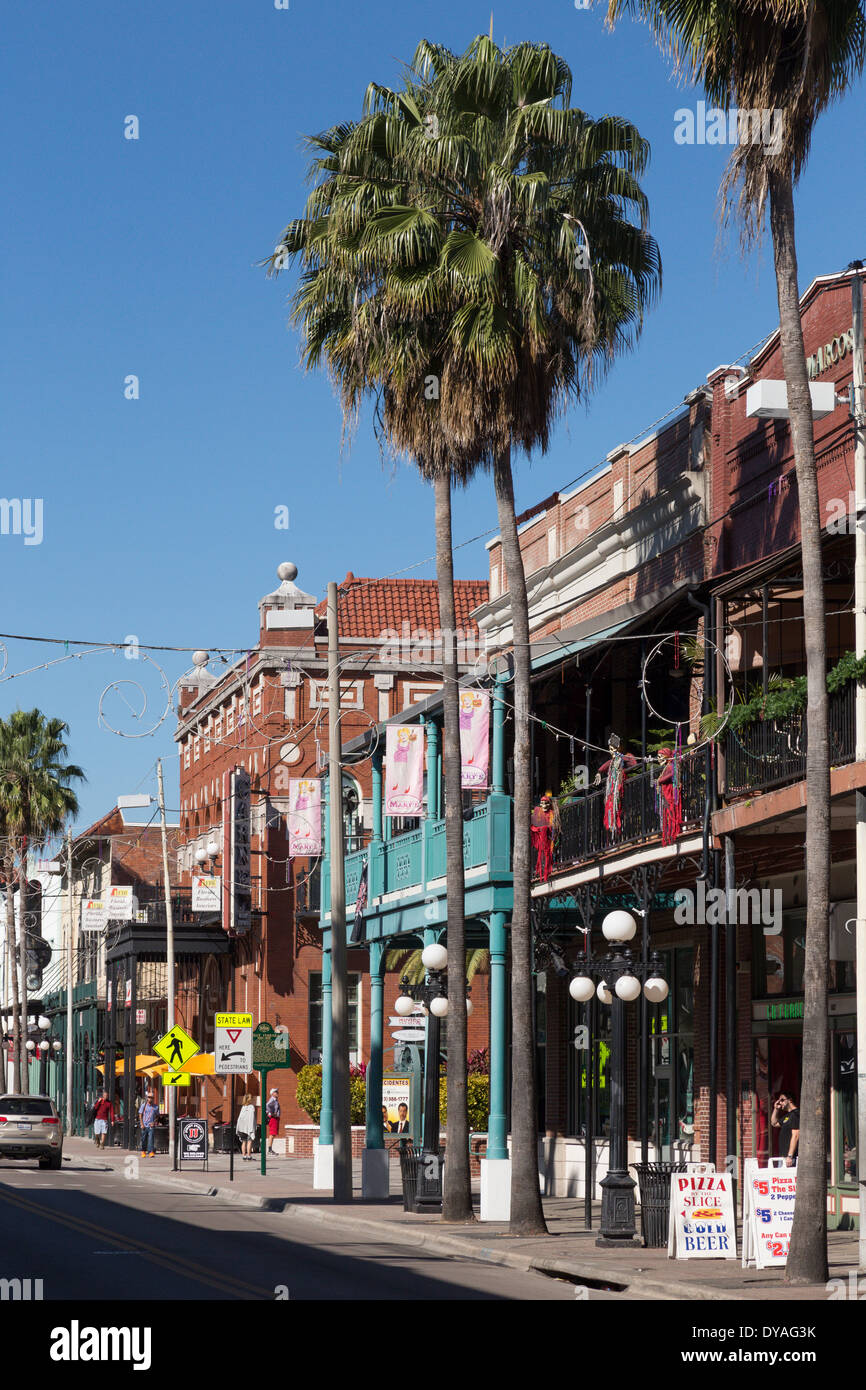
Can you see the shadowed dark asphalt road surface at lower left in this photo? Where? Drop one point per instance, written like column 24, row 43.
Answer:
column 97, row 1235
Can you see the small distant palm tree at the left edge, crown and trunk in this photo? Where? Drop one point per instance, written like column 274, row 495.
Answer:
column 35, row 800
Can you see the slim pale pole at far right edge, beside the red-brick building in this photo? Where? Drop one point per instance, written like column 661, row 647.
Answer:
column 860, row 632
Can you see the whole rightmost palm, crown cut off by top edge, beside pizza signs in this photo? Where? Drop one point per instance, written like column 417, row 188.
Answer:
column 790, row 59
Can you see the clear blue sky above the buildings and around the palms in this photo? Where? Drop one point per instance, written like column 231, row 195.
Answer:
column 140, row 258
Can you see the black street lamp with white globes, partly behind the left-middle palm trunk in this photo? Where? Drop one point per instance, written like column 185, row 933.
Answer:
column 433, row 996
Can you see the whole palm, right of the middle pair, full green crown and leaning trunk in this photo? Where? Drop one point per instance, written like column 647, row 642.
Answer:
column 508, row 226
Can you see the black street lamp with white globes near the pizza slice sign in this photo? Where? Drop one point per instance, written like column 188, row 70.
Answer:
column 619, row 982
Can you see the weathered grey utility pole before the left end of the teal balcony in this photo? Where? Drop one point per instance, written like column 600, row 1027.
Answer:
column 340, row 997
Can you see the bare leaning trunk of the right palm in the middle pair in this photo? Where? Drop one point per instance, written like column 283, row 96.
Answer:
column 528, row 1216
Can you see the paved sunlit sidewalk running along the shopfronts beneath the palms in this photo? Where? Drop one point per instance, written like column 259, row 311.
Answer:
column 568, row 1250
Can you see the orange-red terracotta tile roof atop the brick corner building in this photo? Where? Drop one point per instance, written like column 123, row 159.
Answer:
column 368, row 607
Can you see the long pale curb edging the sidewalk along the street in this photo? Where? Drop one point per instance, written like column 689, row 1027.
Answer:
column 440, row 1243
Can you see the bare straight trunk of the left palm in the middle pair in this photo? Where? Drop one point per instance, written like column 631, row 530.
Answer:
column 458, row 1204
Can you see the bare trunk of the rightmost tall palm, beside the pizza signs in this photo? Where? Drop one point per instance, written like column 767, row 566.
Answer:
column 808, row 1256
